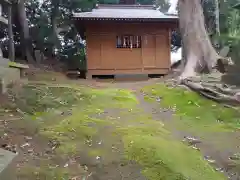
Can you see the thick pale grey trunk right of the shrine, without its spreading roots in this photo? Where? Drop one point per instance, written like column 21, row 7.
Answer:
column 199, row 53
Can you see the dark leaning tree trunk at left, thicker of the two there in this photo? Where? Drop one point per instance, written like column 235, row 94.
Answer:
column 25, row 30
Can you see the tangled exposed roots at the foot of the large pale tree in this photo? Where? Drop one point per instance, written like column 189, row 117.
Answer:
column 210, row 85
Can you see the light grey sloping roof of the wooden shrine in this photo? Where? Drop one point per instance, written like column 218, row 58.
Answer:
column 124, row 12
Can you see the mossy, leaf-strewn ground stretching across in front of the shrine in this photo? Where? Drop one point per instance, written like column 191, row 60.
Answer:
column 72, row 130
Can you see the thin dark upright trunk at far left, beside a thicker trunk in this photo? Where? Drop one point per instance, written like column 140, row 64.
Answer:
column 11, row 49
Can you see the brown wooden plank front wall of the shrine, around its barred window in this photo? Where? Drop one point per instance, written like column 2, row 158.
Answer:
column 103, row 57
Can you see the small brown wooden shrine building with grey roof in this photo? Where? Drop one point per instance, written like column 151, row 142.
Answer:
column 126, row 38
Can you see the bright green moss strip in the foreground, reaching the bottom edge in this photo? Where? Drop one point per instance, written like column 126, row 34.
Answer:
column 161, row 156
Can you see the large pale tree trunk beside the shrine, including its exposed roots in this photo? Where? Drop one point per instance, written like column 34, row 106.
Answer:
column 201, row 57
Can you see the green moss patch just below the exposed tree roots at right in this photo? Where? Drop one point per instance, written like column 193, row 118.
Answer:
column 194, row 111
